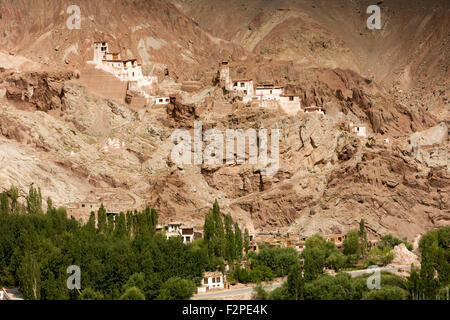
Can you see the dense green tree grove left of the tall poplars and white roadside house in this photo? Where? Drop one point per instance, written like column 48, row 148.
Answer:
column 121, row 259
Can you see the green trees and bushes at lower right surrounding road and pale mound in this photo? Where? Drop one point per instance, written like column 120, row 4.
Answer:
column 431, row 282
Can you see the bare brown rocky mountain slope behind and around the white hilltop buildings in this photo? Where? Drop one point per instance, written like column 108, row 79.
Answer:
column 57, row 131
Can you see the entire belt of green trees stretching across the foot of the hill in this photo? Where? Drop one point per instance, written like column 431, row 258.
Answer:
column 124, row 258
